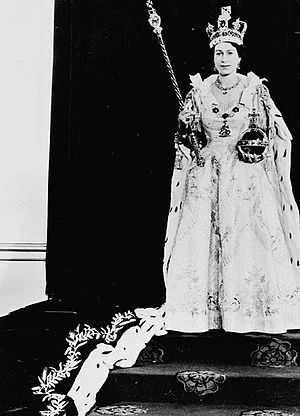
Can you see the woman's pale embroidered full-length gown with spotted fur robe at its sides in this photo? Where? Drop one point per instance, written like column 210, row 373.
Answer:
column 232, row 253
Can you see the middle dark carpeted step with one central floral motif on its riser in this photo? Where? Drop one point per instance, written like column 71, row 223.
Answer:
column 228, row 384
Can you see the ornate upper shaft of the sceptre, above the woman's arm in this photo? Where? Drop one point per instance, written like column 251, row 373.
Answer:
column 155, row 22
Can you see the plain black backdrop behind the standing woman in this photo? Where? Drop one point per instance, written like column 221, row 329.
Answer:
column 113, row 117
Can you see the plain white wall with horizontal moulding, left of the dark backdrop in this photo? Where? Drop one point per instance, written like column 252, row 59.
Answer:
column 26, row 45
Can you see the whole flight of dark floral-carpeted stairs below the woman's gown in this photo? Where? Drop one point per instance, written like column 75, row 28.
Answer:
column 214, row 373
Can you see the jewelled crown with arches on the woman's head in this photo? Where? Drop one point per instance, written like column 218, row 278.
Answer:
column 224, row 33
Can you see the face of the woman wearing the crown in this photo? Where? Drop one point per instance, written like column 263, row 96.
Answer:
column 226, row 58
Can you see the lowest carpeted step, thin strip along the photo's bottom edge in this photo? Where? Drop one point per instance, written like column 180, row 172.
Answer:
column 175, row 409
